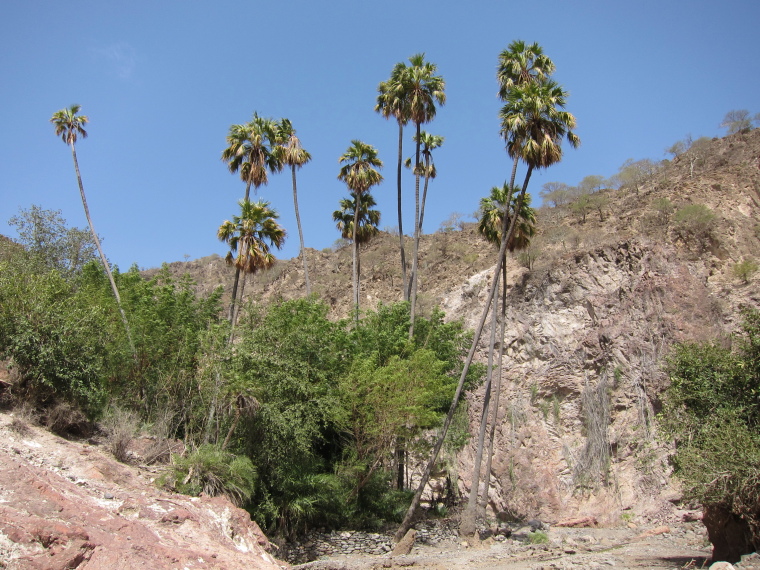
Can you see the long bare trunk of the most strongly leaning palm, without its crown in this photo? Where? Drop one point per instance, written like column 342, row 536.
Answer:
column 506, row 235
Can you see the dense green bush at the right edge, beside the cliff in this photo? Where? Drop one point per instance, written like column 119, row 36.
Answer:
column 712, row 410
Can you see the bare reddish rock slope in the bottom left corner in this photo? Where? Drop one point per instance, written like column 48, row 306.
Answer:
column 69, row 505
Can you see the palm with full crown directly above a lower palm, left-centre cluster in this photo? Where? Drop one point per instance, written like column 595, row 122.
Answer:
column 250, row 152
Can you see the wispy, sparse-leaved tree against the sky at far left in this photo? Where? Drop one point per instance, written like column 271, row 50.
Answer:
column 45, row 235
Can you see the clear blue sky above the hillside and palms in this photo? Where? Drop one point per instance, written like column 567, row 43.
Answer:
column 162, row 82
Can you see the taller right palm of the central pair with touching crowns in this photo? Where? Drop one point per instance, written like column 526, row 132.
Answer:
column 425, row 90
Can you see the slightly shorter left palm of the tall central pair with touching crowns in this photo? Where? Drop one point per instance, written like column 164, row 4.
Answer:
column 393, row 101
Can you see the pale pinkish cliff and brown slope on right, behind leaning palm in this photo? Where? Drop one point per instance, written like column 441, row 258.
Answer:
column 588, row 330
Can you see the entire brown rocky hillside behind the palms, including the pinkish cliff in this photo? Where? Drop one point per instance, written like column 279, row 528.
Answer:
column 588, row 326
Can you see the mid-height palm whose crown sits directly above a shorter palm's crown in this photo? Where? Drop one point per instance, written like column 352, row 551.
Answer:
column 359, row 172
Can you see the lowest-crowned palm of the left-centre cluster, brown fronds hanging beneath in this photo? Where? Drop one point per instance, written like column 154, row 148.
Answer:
column 250, row 236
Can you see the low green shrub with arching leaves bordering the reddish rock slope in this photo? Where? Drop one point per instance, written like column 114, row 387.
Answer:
column 213, row 471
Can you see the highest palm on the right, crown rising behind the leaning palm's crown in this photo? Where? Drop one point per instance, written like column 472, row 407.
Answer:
column 521, row 64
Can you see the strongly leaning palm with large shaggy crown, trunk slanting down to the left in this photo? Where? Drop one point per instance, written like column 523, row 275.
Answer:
column 536, row 140
